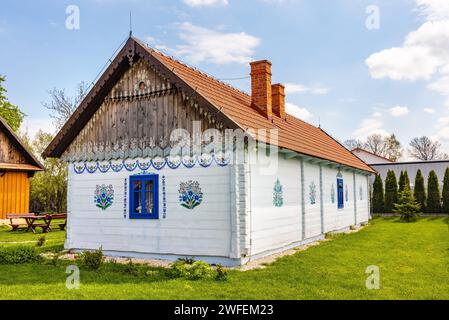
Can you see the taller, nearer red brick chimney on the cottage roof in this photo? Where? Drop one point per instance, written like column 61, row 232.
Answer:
column 261, row 86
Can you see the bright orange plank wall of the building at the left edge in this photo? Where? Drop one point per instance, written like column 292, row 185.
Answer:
column 14, row 193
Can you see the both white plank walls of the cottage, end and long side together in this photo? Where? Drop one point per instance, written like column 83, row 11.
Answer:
column 237, row 211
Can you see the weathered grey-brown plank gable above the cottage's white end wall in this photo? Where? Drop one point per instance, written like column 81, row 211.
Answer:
column 133, row 118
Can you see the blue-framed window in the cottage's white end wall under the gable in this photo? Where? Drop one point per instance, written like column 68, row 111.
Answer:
column 144, row 197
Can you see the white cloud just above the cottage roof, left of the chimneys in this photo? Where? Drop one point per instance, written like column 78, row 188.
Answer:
column 207, row 45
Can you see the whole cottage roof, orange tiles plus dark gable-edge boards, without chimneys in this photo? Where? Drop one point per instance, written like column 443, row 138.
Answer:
column 235, row 105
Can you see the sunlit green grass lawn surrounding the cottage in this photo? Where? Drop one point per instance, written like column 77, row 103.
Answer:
column 413, row 260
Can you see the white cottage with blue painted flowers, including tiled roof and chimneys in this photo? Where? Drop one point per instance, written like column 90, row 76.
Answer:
column 136, row 188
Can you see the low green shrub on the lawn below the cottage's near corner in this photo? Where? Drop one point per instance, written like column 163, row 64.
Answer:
column 191, row 270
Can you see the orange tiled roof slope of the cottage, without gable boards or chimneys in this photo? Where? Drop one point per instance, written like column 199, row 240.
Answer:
column 294, row 134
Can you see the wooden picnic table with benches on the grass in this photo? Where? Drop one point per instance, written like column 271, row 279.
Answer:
column 34, row 221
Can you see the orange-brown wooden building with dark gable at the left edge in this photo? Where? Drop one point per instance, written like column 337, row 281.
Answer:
column 17, row 165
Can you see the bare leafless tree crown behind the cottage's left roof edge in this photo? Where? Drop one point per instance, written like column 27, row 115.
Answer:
column 62, row 106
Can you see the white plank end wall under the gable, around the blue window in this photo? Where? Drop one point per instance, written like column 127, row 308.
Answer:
column 203, row 231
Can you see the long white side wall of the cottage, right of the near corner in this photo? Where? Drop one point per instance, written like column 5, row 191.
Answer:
column 273, row 228
